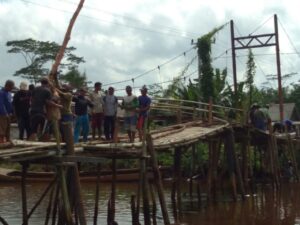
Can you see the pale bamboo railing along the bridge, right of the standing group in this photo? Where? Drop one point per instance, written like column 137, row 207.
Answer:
column 196, row 110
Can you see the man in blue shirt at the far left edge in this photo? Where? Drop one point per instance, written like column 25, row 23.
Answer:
column 6, row 110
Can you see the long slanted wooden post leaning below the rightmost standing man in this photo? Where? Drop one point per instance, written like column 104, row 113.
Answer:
column 157, row 180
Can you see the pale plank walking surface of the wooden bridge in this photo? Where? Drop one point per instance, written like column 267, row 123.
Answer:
column 165, row 138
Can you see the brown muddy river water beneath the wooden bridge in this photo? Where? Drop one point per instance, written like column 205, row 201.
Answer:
column 266, row 207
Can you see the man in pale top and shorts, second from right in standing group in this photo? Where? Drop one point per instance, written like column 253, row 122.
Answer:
column 130, row 104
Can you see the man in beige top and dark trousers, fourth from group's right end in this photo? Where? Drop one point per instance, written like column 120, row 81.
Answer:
column 97, row 111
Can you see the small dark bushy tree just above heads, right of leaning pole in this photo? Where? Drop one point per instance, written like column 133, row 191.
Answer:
column 74, row 78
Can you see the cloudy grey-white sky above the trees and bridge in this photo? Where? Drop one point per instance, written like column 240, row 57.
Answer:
column 138, row 42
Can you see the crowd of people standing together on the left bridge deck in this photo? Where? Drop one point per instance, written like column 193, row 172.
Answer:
column 41, row 110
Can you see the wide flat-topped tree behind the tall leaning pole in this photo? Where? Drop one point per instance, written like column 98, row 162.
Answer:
column 38, row 54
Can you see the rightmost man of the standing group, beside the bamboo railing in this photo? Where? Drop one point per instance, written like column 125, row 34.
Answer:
column 144, row 106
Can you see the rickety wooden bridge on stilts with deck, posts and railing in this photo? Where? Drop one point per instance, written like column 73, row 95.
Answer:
column 194, row 123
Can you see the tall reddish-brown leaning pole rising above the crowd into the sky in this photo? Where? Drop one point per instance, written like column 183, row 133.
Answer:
column 60, row 54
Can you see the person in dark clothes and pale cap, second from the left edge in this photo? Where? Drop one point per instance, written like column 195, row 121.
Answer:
column 21, row 103
